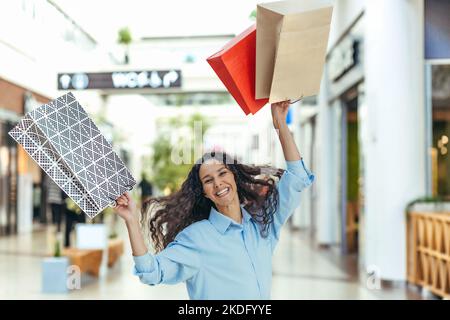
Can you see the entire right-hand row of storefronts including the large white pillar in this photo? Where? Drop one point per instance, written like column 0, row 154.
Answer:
column 380, row 127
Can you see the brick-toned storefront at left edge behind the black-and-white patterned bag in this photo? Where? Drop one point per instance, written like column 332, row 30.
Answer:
column 18, row 172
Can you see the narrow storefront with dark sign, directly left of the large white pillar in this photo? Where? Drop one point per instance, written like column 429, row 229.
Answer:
column 346, row 96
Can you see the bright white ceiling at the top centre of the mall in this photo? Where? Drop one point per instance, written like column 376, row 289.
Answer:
column 148, row 18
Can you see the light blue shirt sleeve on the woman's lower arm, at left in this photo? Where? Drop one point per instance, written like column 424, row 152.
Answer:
column 178, row 262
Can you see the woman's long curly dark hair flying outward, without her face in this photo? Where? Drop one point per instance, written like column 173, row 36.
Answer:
column 165, row 217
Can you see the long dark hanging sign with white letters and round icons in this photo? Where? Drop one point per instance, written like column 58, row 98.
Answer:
column 157, row 79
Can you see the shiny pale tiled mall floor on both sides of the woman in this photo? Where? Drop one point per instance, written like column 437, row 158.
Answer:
column 300, row 272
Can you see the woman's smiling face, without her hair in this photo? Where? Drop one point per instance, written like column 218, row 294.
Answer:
column 218, row 183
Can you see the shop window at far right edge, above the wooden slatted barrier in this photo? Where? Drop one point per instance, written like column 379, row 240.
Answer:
column 437, row 66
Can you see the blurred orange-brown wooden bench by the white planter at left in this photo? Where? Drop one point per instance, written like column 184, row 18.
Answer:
column 90, row 260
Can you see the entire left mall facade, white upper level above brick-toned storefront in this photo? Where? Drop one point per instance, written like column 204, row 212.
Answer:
column 28, row 69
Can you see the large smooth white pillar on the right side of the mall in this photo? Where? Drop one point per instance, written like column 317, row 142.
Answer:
column 395, row 160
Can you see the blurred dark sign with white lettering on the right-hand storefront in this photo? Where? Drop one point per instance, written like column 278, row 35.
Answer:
column 343, row 58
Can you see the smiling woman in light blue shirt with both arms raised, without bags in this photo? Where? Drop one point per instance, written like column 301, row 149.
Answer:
column 219, row 231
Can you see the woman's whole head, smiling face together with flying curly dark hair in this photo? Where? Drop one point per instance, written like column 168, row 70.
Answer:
column 217, row 181
